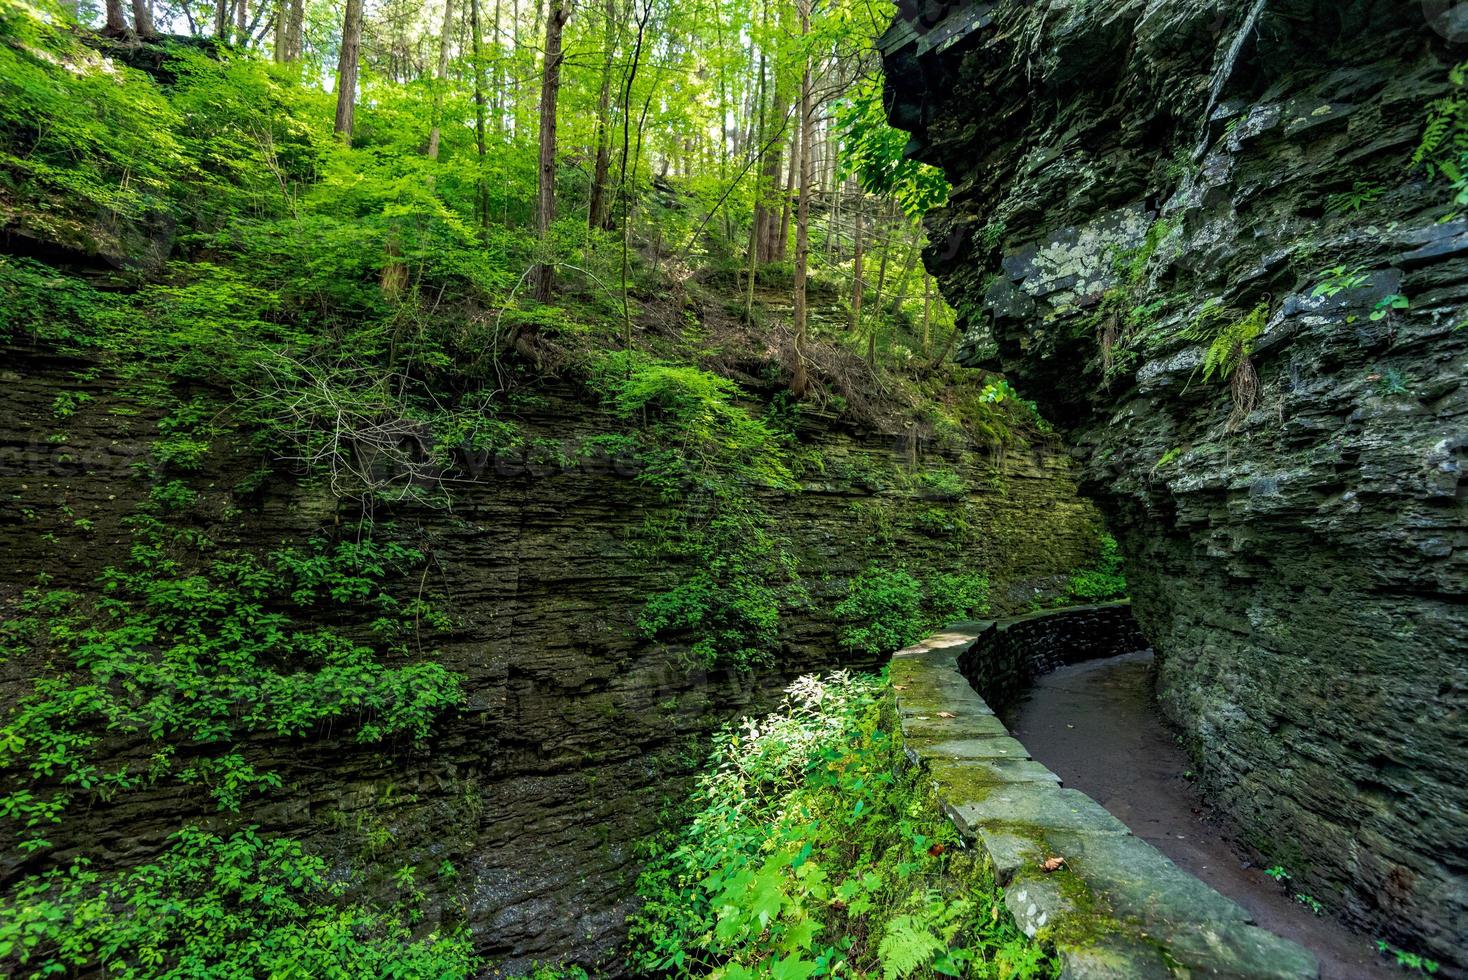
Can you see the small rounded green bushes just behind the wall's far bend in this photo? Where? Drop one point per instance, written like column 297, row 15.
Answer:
column 889, row 610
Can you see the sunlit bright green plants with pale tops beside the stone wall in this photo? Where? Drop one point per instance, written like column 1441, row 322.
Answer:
column 815, row 852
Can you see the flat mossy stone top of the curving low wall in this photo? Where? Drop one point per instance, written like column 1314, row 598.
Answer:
column 1116, row 907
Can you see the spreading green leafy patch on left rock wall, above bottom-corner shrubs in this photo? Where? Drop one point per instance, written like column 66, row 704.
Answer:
column 202, row 658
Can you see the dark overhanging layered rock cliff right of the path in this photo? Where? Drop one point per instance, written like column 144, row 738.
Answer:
column 1133, row 180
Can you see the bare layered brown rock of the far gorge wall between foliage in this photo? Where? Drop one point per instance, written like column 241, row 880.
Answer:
column 578, row 737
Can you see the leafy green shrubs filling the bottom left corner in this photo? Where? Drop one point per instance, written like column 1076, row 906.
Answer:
column 237, row 906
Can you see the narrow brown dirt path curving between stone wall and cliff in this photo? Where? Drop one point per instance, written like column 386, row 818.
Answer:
column 1096, row 727
